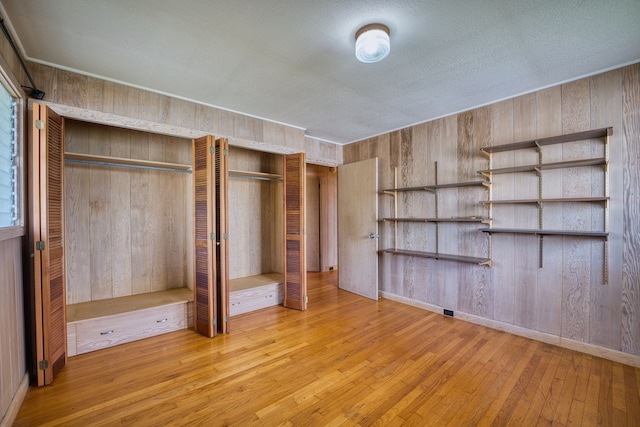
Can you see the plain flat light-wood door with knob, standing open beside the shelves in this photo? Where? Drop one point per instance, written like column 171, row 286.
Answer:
column 358, row 228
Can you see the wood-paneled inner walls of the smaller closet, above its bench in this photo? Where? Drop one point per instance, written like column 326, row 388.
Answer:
column 255, row 215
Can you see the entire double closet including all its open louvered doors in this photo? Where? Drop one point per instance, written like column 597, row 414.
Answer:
column 123, row 249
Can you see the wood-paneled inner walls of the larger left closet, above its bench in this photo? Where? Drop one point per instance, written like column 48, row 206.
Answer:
column 128, row 231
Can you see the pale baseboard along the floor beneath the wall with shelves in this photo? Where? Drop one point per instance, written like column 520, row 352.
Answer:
column 594, row 350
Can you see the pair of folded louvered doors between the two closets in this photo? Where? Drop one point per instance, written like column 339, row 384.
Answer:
column 211, row 289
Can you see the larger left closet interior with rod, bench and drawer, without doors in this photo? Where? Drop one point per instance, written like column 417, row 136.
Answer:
column 128, row 235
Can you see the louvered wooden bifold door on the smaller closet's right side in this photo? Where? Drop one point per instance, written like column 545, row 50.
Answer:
column 295, row 276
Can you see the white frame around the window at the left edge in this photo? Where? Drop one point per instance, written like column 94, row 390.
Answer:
column 13, row 87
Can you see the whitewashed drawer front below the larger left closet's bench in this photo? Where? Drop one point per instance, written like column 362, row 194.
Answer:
column 95, row 334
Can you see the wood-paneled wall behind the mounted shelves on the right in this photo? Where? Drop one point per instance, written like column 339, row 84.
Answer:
column 567, row 298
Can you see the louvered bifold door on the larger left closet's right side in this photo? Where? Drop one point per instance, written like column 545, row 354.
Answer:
column 204, row 301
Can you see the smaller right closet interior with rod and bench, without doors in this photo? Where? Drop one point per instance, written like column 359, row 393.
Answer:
column 255, row 212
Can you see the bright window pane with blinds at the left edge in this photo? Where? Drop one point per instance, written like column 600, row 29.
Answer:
column 9, row 161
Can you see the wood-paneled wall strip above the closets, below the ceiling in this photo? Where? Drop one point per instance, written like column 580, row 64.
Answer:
column 91, row 99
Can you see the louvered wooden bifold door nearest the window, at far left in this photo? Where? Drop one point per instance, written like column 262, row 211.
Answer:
column 47, row 220
